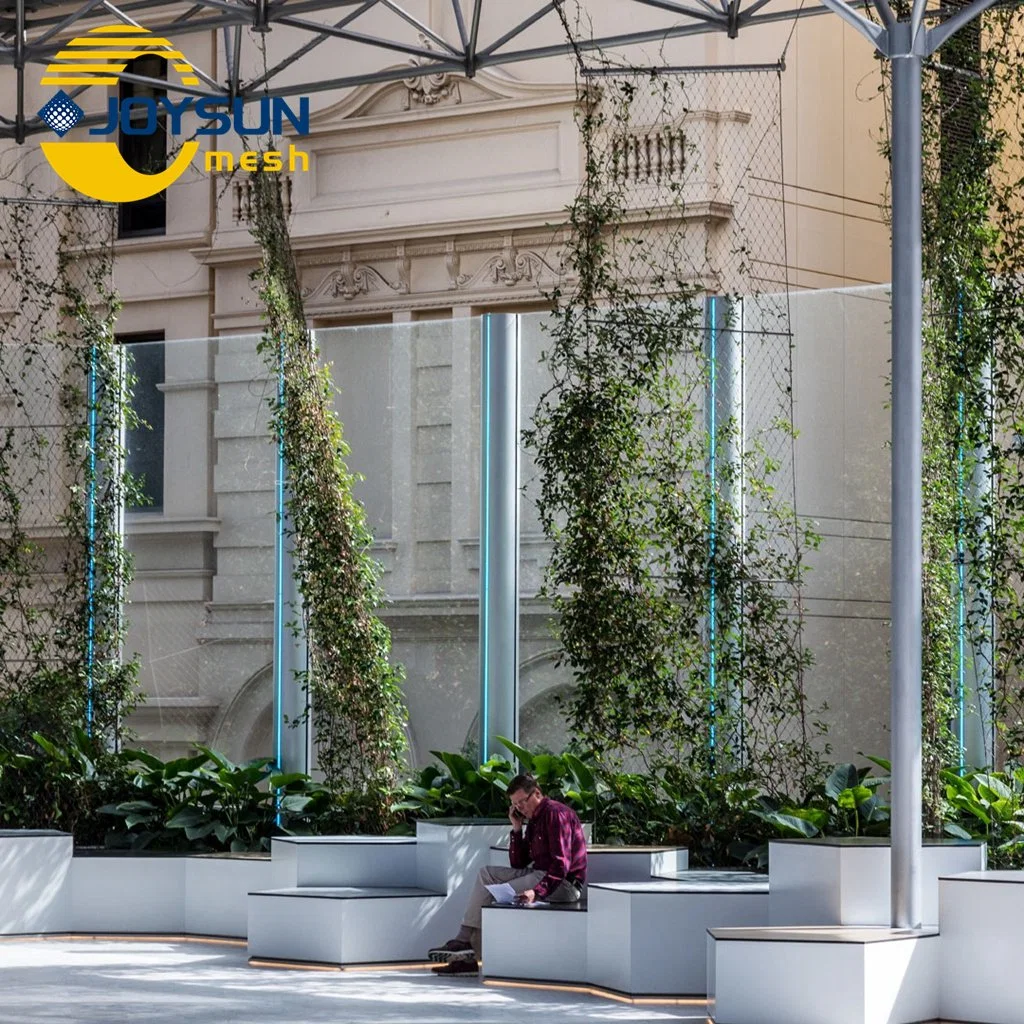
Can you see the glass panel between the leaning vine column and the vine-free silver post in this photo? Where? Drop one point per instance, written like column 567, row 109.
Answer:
column 409, row 402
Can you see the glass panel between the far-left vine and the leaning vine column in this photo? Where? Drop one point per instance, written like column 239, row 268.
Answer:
column 201, row 611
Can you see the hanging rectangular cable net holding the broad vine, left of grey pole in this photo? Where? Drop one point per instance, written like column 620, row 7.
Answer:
column 677, row 290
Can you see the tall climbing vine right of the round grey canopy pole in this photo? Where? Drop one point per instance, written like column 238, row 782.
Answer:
column 973, row 635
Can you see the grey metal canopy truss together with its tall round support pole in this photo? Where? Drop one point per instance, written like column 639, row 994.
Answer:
column 35, row 36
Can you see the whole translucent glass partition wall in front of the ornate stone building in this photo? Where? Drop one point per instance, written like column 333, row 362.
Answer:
column 202, row 610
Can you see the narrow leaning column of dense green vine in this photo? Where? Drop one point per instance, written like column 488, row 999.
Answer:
column 356, row 692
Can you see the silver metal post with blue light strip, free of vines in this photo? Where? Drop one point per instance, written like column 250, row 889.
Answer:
column 499, row 532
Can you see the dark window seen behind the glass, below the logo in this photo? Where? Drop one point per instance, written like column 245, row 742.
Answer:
column 145, row 443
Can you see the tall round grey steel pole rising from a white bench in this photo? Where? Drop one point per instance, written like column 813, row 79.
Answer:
column 907, row 471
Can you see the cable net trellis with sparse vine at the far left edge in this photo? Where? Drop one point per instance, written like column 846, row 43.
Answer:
column 62, row 561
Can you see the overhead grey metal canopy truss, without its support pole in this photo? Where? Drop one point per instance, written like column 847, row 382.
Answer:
column 34, row 32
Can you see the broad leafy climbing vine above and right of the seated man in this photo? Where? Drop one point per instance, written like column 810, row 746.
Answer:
column 676, row 563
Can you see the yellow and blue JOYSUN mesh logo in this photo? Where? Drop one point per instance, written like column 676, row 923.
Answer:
column 97, row 168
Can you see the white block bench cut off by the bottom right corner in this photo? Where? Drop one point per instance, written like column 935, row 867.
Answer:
column 983, row 947
